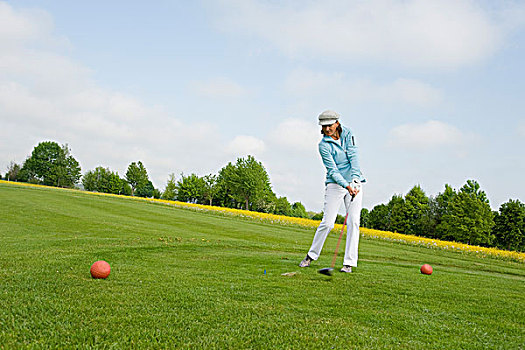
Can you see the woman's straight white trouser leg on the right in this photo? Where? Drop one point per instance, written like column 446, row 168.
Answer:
column 353, row 208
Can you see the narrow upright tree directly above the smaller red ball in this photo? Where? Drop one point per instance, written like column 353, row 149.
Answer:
column 416, row 204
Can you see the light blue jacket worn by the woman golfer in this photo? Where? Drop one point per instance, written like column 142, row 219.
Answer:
column 342, row 165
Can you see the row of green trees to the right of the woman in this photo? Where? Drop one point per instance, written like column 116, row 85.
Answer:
column 462, row 215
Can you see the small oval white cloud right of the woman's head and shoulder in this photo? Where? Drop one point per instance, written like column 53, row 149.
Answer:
column 428, row 135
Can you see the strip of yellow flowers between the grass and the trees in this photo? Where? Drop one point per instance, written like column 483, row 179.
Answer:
column 286, row 220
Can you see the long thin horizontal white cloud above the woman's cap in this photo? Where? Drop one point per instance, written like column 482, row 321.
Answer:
column 306, row 83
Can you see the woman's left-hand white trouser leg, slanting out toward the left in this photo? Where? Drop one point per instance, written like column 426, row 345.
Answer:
column 334, row 195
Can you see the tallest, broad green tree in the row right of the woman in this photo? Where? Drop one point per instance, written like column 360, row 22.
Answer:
column 468, row 218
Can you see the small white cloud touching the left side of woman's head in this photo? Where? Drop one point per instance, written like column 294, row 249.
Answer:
column 296, row 134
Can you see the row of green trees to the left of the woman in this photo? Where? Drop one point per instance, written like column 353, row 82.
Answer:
column 244, row 184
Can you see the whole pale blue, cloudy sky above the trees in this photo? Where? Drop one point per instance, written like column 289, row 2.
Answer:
column 434, row 91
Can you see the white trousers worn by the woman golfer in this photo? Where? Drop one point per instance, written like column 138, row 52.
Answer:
column 334, row 195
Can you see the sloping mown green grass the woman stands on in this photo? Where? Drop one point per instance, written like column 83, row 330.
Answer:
column 187, row 279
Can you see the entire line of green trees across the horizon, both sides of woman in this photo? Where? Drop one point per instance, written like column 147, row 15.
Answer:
column 462, row 215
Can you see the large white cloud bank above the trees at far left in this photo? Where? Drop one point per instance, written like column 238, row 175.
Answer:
column 45, row 95
